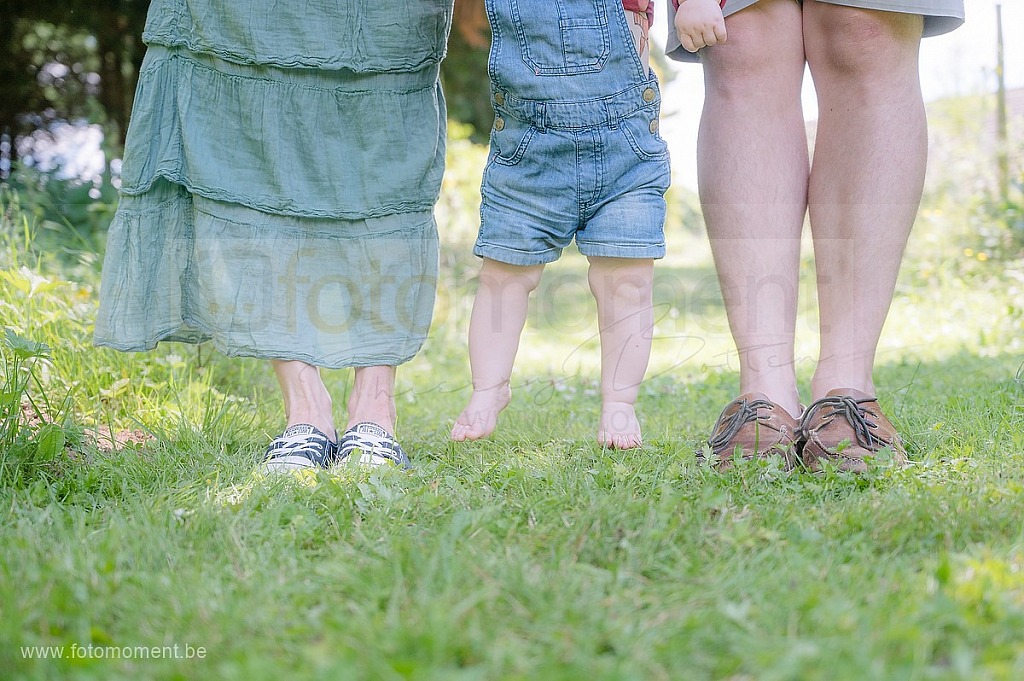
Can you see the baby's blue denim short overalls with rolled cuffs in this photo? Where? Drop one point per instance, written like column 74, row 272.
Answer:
column 575, row 150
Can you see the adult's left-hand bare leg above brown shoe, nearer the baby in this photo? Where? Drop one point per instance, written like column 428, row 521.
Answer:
column 753, row 169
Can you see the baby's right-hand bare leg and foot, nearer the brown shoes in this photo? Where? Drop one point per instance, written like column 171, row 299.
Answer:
column 623, row 290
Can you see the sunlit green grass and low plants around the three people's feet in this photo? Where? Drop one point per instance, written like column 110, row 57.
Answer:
column 534, row 556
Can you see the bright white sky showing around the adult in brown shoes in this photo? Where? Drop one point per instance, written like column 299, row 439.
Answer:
column 959, row 63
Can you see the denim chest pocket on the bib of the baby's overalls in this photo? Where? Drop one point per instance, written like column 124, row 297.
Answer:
column 563, row 37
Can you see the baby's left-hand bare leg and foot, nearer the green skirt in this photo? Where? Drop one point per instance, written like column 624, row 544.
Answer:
column 495, row 328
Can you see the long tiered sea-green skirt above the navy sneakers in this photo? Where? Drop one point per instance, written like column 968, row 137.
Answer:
column 279, row 181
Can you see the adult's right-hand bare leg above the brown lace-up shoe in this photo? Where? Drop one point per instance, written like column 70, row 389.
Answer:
column 867, row 178
